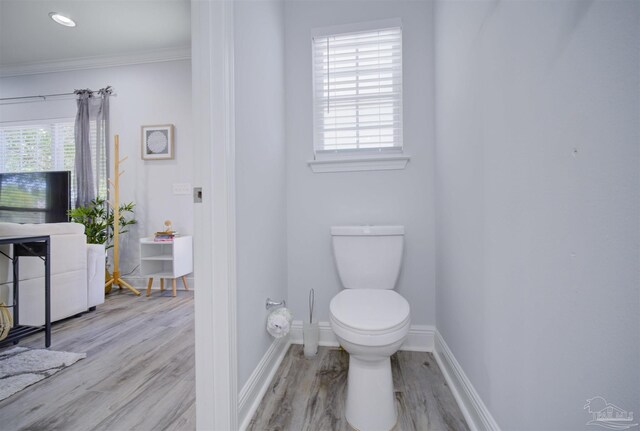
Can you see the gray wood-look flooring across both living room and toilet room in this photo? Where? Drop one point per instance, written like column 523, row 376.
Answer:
column 139, row 375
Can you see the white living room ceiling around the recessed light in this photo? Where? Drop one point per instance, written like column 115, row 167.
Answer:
column 105, row 28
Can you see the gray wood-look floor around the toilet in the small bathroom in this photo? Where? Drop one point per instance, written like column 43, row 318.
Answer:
column 309, row 394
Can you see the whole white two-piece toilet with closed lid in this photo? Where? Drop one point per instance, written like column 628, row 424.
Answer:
column 370, row 319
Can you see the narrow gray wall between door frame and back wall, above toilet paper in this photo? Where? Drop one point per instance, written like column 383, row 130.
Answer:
column 260, row 174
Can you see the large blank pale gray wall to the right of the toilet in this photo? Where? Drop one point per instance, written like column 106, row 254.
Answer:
column 538, row 216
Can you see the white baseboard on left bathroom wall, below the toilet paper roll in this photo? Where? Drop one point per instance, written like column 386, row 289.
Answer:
column 252, row 392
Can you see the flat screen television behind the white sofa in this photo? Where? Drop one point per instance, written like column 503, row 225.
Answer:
column 35, row 197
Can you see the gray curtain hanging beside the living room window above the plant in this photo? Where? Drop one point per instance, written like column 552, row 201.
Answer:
column 91, row 160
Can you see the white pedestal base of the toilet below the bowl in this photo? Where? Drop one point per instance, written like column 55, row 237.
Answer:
column 370, row 398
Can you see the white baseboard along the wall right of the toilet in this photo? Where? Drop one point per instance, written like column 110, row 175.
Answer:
column 474, row 410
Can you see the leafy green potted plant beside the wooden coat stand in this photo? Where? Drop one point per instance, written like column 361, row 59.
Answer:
column 98, row 218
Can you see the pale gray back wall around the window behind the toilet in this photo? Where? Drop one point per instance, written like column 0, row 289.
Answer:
column 318, row 201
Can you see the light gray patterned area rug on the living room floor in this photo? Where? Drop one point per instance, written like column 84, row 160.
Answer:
column 21, row 367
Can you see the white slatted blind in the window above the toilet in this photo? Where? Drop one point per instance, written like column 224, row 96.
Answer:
column 357, row 80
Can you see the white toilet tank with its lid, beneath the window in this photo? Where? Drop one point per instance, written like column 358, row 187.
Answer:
column 368, row 257
